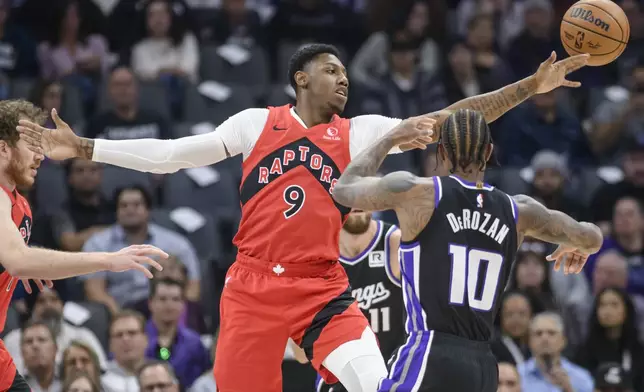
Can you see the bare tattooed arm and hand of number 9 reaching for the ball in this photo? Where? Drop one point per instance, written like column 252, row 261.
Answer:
column 493, row 105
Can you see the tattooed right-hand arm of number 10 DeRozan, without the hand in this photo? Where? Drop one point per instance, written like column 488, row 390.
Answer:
column 553, row 226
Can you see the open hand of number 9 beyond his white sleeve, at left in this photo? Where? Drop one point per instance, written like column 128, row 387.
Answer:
column 58, row 144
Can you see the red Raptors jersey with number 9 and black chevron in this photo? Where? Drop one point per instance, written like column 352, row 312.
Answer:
column 288, row 214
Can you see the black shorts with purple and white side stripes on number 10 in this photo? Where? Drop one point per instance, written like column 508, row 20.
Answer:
column 438, row 362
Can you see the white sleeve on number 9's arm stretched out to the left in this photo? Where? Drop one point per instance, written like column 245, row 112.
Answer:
column 237, row 135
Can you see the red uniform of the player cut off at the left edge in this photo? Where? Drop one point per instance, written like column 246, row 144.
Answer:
column 21, row 216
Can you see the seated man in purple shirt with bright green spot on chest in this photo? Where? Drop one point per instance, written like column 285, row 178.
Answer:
column 168, row 340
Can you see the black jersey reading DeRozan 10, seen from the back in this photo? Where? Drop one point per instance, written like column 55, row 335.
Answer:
column 455, row 270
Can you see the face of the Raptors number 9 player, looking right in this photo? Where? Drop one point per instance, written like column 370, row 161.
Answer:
column 328, row 82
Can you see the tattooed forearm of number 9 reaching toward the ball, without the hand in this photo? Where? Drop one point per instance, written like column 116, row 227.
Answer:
column 496, row 103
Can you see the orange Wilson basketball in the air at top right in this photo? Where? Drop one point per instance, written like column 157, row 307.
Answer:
column 597, row 27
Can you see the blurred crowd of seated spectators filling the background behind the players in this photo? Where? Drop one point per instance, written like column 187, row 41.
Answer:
column 121, row 69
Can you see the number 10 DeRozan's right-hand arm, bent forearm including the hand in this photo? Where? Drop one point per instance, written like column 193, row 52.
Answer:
column 575, row 239
